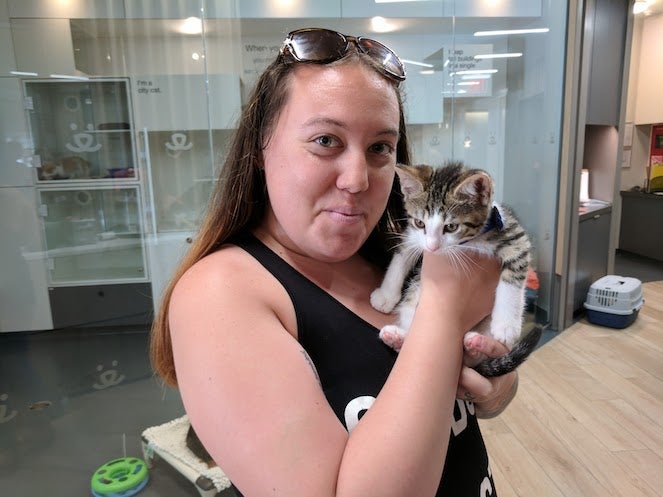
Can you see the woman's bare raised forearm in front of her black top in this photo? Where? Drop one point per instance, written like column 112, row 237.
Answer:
column 409, row 424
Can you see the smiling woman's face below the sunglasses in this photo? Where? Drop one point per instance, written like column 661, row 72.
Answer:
column 329, row 164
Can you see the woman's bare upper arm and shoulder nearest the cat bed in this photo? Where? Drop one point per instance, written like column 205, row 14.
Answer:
column 247, row 385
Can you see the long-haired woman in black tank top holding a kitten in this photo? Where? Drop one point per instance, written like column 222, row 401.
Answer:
column 267, row 328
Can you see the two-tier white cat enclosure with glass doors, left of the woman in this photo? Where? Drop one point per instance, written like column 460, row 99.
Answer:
column 87, row 180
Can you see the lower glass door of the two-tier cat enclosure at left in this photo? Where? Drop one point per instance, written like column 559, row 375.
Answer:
column 93, row 235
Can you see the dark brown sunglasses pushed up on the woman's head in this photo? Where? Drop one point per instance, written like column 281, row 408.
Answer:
column 322, row 46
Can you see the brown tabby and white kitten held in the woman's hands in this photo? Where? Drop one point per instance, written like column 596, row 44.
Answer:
column 451, row 209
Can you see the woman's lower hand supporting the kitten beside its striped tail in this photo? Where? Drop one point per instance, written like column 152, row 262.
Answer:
column 490, row 395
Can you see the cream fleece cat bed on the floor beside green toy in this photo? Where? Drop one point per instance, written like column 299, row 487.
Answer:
column 168, row 441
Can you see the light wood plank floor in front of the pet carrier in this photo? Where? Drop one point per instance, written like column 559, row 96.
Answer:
column 588, row 417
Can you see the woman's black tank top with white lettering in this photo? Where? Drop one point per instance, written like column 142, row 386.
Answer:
column 353, row 364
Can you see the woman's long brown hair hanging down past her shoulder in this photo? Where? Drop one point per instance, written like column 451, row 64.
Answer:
column 240, row 196
